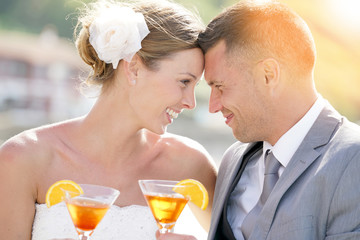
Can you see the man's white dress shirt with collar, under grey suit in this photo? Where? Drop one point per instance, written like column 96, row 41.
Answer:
column 249, row 188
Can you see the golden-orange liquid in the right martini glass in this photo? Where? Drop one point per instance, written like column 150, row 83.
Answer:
column 166, row 209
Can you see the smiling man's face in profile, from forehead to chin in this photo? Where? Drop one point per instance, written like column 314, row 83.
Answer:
column 234, row 91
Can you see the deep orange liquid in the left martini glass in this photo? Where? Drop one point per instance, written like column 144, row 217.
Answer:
column 86, row 213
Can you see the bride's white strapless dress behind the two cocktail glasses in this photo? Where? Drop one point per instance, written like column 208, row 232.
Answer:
column 120, row 223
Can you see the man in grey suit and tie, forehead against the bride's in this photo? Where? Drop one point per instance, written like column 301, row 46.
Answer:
column 259, row 63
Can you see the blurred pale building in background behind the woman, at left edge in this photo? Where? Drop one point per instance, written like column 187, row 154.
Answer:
column 38, row 79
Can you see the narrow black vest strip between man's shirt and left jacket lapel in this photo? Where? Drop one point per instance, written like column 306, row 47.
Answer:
column 224, row 230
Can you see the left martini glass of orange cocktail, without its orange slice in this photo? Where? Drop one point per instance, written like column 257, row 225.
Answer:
column 88, row 209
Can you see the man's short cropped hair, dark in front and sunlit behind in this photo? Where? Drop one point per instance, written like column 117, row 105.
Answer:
column 258, row 30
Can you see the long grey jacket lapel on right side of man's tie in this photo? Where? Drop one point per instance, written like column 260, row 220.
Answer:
column 319, row 135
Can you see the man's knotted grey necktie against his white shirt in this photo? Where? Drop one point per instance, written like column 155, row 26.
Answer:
column 271, row 176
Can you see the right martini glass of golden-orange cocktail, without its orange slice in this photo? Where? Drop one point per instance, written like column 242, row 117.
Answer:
column 165, row 204
